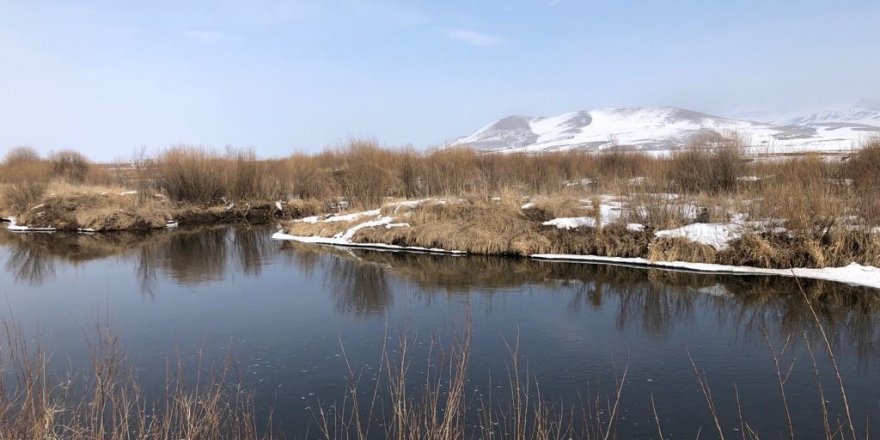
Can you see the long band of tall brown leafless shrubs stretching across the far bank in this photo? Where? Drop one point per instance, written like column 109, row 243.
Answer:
column 712, row 175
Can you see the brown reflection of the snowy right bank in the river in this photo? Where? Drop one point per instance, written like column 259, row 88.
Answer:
column 652, row 300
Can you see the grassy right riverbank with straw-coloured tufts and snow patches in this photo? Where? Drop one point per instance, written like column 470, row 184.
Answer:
column 598, row 231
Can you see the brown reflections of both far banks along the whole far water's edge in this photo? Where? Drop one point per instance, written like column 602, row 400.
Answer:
column 363, row 283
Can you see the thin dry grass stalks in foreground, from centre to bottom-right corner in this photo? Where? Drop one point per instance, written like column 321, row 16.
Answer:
column 442, row 403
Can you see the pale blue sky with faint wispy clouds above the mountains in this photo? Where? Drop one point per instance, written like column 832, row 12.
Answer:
column 108, row 77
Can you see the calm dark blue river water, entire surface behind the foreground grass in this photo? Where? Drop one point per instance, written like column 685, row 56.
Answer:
column 285, row 311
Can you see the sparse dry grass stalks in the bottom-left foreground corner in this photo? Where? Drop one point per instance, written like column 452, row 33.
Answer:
column 109, row 403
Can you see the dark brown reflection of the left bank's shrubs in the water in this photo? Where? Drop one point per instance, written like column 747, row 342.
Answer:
column 186, row 256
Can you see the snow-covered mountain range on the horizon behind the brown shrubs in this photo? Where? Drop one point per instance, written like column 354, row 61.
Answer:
column 660, row 129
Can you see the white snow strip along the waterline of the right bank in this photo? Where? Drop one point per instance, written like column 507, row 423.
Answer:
column 854, row 274
